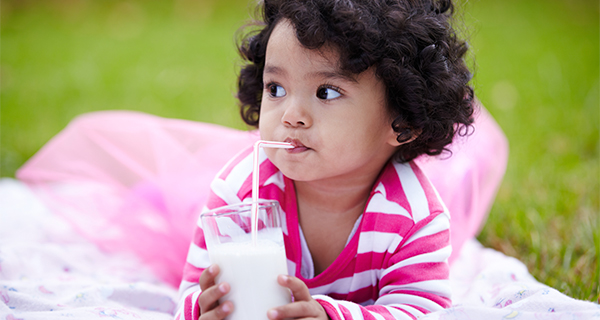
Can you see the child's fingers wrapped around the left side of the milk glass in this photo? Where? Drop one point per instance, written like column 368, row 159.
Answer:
column 211, row 293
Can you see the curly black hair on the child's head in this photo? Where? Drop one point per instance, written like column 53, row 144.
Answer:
column 411, row 45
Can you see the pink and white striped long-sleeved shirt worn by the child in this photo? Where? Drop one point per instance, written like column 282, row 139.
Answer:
column 394, row 265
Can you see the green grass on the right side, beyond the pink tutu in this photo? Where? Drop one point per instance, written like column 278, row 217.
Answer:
column 537, row 72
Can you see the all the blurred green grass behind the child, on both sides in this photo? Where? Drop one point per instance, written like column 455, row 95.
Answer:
column 536, row 69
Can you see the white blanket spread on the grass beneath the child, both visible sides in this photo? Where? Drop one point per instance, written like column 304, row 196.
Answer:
column 47, row 271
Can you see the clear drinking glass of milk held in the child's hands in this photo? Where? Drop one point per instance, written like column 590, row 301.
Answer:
column 250, row 266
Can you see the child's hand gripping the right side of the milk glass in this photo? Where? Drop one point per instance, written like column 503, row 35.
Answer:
column 303, row 307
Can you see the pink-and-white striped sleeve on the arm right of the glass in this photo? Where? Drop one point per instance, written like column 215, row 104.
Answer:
column 414, row 282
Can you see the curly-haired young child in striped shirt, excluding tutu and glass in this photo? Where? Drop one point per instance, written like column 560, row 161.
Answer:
column 360, row 88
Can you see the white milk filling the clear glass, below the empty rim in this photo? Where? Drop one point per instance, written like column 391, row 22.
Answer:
column 251, row 272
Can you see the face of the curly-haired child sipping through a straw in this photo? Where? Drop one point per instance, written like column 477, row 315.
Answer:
column 339, row 124
